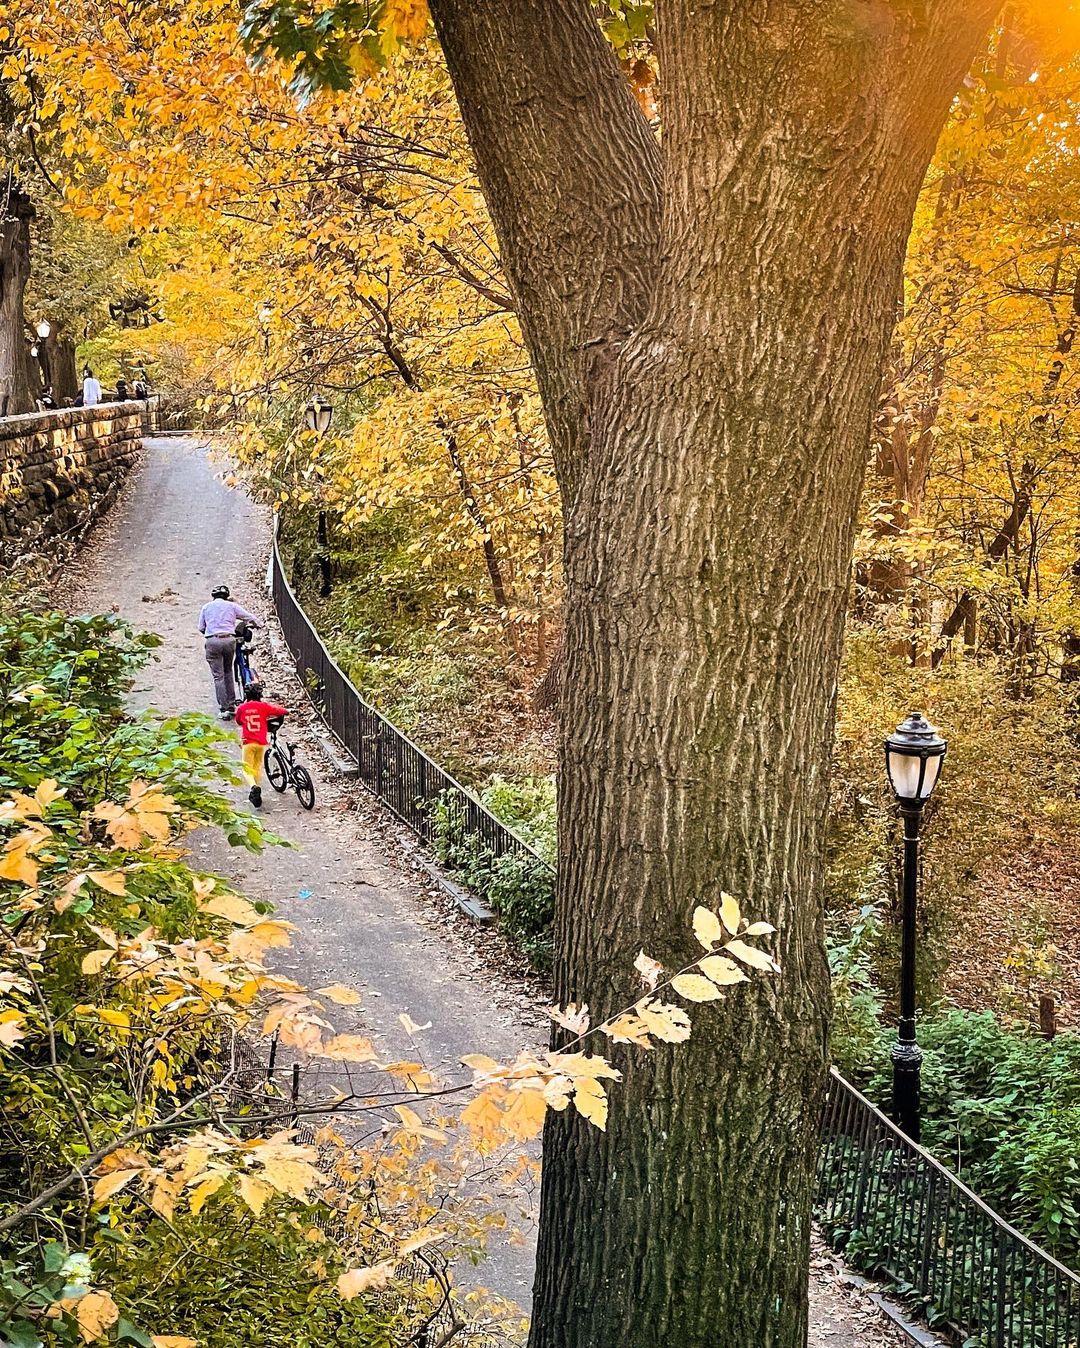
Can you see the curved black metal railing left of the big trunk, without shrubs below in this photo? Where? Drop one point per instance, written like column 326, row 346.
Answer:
column 421, row 793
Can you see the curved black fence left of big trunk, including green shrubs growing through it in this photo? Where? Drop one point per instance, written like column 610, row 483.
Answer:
column 487, row 854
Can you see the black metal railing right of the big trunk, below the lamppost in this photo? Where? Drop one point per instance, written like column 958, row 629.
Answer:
column 900, row 1215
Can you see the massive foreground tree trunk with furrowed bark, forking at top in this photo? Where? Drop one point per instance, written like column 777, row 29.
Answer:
column 710, row 520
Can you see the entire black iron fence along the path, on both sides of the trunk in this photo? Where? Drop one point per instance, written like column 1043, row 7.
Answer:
column 888, row 1204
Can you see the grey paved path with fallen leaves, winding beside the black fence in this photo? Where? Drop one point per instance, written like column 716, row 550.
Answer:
column 180, row 530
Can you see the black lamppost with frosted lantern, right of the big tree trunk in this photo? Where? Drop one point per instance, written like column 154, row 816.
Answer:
column 913, row 756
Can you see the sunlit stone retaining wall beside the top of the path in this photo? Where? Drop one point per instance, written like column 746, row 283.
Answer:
column 60, row 471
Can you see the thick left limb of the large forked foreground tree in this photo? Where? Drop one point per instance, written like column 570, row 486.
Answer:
column 572, row 177
